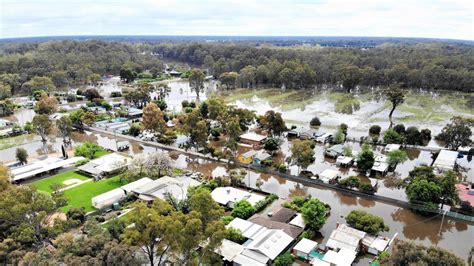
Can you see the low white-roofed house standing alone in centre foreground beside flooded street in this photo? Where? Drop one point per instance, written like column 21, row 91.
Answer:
column 228, row 196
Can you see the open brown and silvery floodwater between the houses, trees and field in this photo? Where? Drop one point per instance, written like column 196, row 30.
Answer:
column 455, row 236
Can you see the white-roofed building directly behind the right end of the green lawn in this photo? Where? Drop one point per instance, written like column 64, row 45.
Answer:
column 106, row 165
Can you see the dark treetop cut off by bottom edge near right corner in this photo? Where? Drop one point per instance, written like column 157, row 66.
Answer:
column 409, row 253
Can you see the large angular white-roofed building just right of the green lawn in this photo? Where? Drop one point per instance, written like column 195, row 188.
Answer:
column 176, row 187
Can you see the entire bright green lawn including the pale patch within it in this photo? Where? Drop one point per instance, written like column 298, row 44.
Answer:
column 78, row 196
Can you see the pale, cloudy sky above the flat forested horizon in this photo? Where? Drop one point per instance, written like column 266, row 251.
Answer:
column 451, row 19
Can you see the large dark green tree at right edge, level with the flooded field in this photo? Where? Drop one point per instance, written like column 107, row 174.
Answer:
column 457, row 133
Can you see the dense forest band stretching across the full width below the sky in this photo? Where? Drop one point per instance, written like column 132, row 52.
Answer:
column 424, row 65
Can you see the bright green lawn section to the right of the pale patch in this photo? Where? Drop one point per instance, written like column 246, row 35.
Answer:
column 81, row 196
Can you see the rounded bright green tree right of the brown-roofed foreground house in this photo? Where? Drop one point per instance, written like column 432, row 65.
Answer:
column 314, row 214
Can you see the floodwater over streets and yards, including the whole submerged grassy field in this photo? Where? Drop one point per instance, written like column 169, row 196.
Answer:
column 298, row 108
